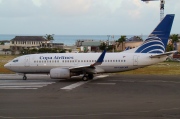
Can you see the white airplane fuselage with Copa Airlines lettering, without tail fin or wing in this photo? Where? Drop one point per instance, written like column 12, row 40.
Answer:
column 113, row 62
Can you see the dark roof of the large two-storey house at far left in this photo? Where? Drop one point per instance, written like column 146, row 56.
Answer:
column 28, row 38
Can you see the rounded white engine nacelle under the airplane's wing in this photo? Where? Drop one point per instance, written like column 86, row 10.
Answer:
column 59, row 73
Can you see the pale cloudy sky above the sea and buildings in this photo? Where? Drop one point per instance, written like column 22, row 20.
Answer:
column 84, row 17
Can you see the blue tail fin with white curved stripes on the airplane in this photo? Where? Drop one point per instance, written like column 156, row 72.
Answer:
column 158, row 39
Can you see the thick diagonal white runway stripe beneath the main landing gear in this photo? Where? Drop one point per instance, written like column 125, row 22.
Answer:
column 75, row 85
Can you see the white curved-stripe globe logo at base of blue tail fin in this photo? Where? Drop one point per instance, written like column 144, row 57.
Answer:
column 152, row 45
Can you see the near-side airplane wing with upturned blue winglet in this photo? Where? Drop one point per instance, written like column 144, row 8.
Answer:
column 90, row 68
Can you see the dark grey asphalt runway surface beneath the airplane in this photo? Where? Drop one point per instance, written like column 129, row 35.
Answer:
column 107, row 96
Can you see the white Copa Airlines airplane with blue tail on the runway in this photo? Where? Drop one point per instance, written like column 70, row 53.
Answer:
column 66, row 65
